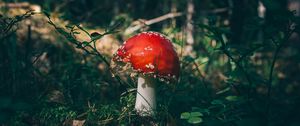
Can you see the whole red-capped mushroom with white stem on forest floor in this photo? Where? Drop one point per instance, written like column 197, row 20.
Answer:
column 151, row 55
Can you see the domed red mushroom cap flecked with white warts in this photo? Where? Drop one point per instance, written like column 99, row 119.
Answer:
column 150, row 53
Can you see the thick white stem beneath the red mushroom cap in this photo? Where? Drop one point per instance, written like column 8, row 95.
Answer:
column 145, row 99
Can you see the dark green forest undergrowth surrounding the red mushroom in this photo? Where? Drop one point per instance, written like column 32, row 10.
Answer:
column 239, row 62
